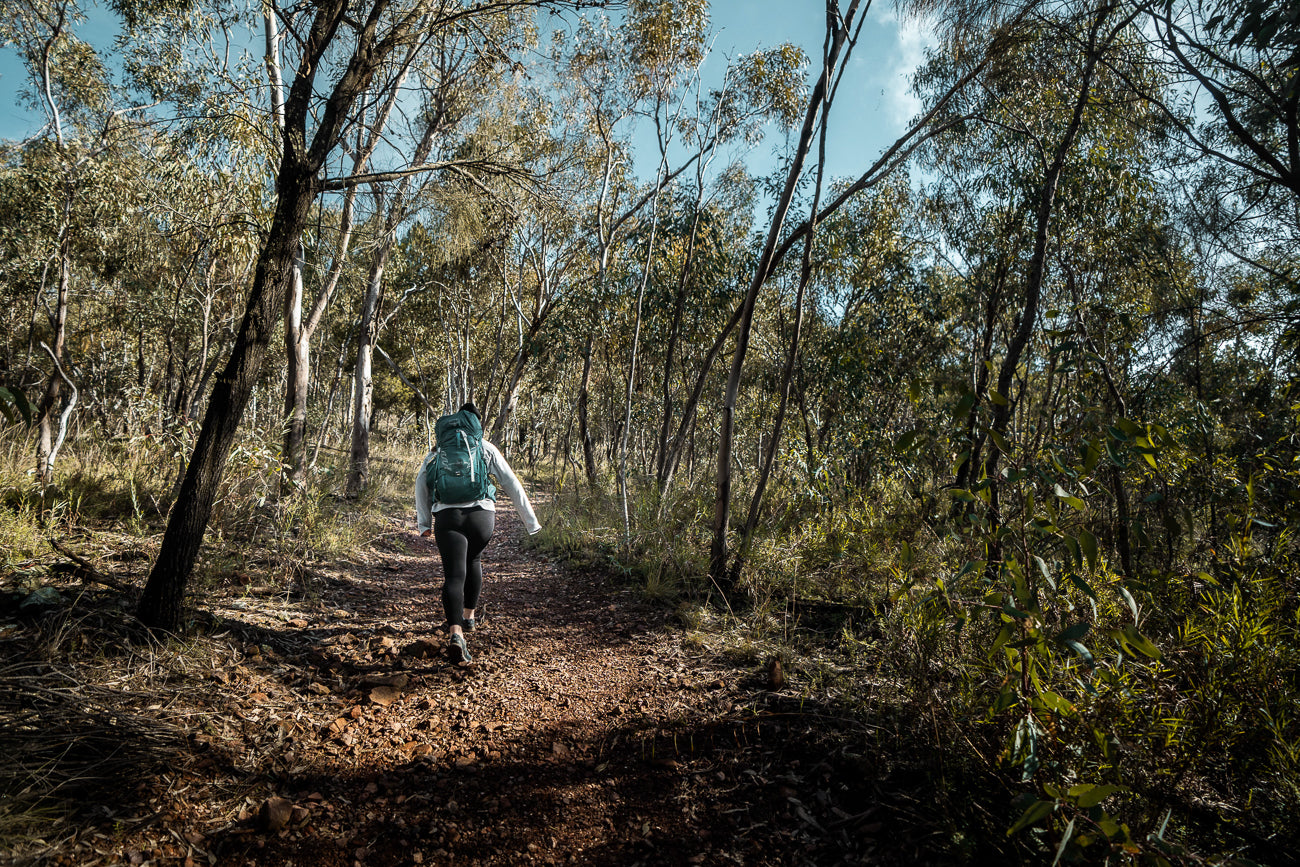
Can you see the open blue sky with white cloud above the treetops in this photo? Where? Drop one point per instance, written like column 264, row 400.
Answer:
column 873, row 109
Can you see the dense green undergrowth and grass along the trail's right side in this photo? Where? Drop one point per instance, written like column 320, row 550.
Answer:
column 1076, row 717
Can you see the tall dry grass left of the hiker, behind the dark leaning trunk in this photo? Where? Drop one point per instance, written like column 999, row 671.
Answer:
column 261, row 530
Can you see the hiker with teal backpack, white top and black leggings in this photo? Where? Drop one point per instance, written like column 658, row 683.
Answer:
column 454, row 484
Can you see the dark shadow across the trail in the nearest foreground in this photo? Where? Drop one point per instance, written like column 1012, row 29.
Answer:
column 726, row 792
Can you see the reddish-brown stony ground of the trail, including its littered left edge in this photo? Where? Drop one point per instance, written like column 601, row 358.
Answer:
column 331, row 730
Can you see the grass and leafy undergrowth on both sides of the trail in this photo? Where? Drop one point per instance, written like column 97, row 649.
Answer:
column 1032, row 738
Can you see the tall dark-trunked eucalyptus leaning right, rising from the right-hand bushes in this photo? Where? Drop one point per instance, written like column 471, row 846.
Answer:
column 1076, row 148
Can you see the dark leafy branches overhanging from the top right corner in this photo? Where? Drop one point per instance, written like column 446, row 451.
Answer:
column 1234, row 102
